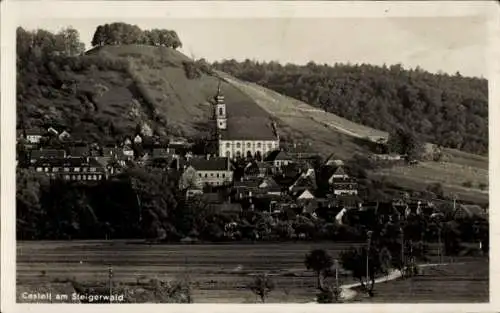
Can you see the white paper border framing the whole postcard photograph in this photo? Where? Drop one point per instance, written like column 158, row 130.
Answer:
column 11, row 10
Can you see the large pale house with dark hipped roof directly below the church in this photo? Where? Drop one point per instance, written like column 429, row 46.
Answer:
column 210, row 171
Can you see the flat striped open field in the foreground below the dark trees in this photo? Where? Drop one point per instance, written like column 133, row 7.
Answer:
column 218, row 273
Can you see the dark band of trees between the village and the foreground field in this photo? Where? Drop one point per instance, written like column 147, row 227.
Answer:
column 147, row 203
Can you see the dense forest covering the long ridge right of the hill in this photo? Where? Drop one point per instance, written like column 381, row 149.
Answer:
column 448, row 110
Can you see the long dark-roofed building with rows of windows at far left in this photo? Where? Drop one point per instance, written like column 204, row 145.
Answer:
column 71, row 169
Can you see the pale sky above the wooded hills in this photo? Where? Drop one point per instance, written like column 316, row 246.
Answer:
column 447, row 44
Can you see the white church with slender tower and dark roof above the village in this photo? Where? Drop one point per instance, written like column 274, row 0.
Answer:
column 247, row 135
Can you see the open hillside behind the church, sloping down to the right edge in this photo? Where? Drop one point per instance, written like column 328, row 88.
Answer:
column 112, row 91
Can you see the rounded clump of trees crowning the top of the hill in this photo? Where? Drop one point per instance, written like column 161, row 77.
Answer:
column 126, row 34
